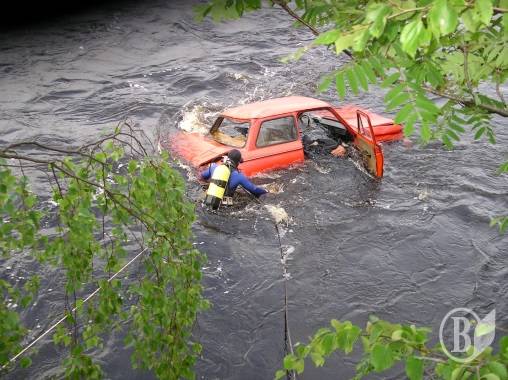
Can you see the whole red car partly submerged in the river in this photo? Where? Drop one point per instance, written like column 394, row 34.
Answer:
column 270, row 134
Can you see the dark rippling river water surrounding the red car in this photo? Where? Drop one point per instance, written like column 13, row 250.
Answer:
column 407, row 248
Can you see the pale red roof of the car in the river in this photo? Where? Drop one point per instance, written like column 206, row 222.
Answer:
column 274, row 107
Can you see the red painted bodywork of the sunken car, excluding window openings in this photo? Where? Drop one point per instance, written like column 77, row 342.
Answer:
column 366, row 129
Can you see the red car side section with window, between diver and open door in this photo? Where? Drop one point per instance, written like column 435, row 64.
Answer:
column 277, row 144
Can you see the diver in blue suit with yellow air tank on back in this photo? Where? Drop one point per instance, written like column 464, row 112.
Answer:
column 225, row 178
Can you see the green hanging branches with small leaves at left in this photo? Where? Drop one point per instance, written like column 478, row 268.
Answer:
column 110, row 198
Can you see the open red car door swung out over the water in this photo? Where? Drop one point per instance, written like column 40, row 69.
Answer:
column 365, row 142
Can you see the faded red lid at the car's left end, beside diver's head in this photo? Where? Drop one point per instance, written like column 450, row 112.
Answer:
column 196, row 149
